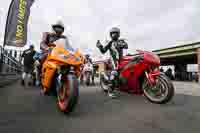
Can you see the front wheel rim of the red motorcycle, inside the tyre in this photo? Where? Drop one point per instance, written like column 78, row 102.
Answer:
column 157, row 92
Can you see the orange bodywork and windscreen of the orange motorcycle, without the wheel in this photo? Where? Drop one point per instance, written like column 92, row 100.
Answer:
column 61, row 55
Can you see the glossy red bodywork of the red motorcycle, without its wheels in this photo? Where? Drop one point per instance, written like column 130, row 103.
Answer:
column 132, row 69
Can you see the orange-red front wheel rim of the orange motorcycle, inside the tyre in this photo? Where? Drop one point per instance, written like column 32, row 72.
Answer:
column 63, row 96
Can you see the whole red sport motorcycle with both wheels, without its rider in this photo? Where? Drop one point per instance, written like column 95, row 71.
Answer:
column 140, row 74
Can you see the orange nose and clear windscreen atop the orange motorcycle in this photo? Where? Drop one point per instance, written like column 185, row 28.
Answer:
column 65, row 53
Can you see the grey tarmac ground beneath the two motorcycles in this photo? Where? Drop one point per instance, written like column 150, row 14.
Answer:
column 26, row 110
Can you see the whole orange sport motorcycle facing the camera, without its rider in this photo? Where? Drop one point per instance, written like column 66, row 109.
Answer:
column 60, row 73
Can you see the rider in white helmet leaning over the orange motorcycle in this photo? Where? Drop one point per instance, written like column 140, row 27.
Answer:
column 48, row 38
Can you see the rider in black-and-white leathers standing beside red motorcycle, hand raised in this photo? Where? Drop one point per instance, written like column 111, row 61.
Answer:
column 115, row 47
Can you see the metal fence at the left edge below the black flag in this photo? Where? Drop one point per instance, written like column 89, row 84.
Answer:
column 8, row 63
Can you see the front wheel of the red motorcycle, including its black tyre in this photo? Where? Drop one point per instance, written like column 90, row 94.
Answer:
column 160, row 93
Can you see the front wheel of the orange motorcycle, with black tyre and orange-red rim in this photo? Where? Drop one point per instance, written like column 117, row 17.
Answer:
column 68, row 94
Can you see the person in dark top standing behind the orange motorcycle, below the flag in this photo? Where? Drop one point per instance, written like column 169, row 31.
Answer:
column 28, row 63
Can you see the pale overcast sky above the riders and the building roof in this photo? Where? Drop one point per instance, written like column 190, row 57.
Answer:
column 146, row 24
